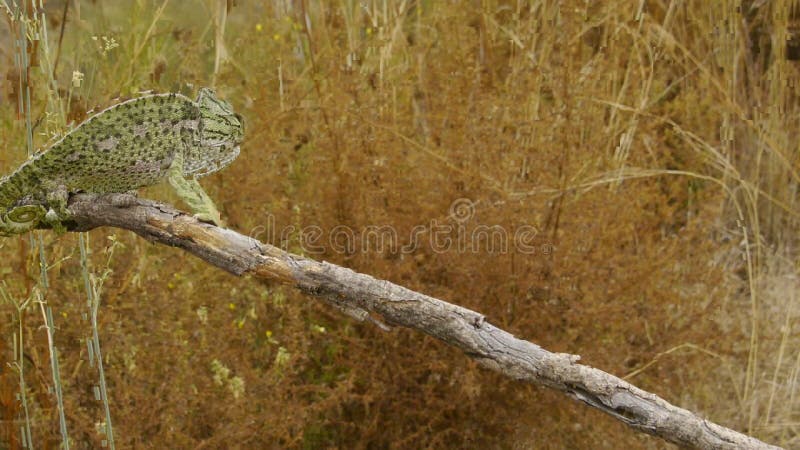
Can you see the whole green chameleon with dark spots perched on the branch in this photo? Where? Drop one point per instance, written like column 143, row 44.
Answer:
column 132, row 144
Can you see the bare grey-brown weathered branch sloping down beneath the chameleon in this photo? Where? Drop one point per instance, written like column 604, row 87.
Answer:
column 363, row 296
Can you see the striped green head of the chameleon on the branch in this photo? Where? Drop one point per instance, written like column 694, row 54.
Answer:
column 221, row 131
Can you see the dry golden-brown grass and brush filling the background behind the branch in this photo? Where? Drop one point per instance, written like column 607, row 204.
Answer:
column 652, row 144
